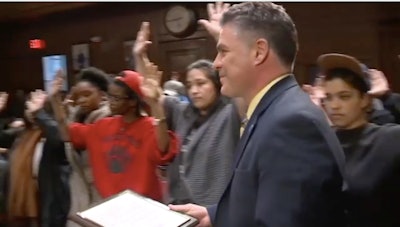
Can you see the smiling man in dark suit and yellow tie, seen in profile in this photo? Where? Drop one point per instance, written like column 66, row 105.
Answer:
column 289, row 164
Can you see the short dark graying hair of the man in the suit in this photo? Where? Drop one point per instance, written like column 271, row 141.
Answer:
column 269, row 21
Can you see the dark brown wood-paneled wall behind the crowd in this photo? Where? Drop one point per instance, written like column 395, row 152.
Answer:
column 352, row 28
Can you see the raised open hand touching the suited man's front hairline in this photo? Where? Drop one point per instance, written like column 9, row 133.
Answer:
column 215, row 12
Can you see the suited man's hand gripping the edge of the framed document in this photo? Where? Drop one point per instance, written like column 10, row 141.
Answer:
column 196, row 211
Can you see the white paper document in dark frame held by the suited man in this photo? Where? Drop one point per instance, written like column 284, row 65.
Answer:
column 130, row 209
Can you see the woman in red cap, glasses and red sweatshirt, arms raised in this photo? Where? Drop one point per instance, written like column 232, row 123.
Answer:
column 124, row 150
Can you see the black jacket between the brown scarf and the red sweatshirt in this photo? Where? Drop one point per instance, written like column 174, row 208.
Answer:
column 54, row 172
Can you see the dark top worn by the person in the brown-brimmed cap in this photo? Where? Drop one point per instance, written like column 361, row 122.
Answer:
column 372, row 174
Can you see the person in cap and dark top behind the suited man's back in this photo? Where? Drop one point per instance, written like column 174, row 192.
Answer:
column 372, row 152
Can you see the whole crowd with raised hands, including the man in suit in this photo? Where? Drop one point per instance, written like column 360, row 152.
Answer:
column 238, row 143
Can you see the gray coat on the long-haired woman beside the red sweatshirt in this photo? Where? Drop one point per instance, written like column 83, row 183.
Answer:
column 201, row 171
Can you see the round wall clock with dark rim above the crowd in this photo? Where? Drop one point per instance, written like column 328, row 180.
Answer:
column 178, row 19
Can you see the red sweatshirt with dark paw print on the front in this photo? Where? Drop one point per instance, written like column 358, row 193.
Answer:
column 123, row 156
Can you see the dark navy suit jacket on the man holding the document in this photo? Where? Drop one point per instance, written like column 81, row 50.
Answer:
column 288, row 169
